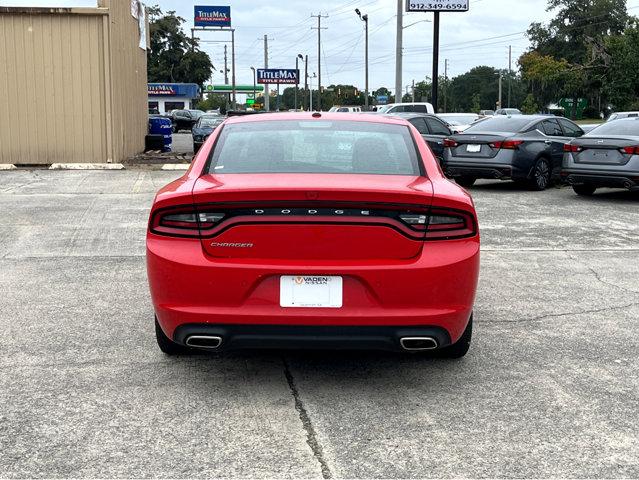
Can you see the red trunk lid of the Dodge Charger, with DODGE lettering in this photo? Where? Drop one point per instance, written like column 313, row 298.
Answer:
column 312, row 216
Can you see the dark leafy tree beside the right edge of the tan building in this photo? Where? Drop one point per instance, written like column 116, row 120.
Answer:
column 173, row 56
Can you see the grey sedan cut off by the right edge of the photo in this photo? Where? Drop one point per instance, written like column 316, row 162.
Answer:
column 607, row 156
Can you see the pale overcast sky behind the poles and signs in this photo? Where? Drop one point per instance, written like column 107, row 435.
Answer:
column 478, row 37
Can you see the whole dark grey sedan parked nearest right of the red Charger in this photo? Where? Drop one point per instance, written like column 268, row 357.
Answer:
column 525, row 148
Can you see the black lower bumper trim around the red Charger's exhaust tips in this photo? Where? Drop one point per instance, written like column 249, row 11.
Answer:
column 236, row 337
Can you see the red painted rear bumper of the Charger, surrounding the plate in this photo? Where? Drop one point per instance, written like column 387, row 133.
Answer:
column 435, row 289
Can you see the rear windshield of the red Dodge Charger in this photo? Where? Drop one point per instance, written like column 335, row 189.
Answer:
column 315, row 146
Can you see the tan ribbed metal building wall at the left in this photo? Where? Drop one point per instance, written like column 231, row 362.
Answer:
column 73, row 84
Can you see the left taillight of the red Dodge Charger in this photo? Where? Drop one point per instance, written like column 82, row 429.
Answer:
column 183, row 221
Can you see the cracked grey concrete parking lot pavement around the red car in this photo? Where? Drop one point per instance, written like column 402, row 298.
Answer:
column 549, row 388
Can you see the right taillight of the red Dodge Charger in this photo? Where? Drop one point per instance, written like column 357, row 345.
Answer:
column 442, row 224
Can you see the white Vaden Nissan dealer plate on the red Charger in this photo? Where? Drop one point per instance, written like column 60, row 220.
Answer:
column 299, row 291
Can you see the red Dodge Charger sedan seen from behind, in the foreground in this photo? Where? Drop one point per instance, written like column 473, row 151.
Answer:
column 313, row 231
